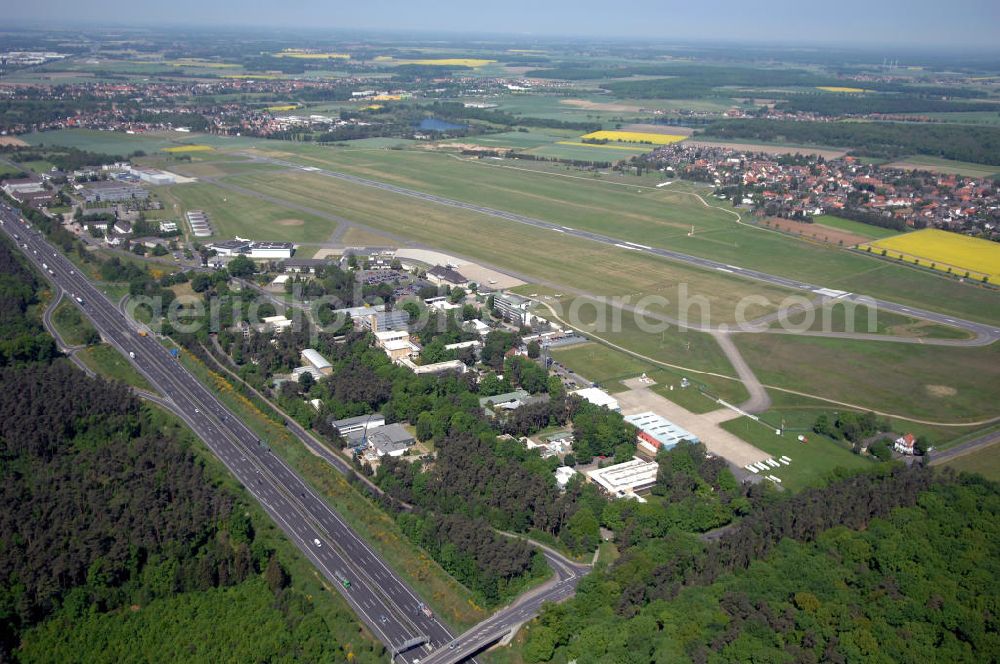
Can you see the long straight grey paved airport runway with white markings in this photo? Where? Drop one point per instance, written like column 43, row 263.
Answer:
column 977, row 329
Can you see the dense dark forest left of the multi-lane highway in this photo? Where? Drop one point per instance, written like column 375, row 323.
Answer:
column 115, row 531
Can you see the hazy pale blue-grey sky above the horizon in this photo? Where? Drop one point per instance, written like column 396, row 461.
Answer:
column 915, row 23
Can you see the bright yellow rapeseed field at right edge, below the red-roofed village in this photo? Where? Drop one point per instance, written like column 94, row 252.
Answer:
column 944, row 251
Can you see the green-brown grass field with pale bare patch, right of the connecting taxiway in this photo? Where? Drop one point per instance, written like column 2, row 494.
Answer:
column 912, row 380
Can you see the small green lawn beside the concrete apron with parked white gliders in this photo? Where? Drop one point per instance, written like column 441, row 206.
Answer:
column 811, row 462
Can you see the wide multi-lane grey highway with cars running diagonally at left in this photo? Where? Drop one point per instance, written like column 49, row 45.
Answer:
column 381, row 599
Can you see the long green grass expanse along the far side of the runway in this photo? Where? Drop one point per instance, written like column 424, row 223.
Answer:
column 658, row 217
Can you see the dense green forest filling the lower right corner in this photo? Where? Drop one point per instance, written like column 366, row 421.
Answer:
column 883, row 568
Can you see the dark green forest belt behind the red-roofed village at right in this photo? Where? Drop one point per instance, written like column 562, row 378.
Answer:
column 886, row 140
